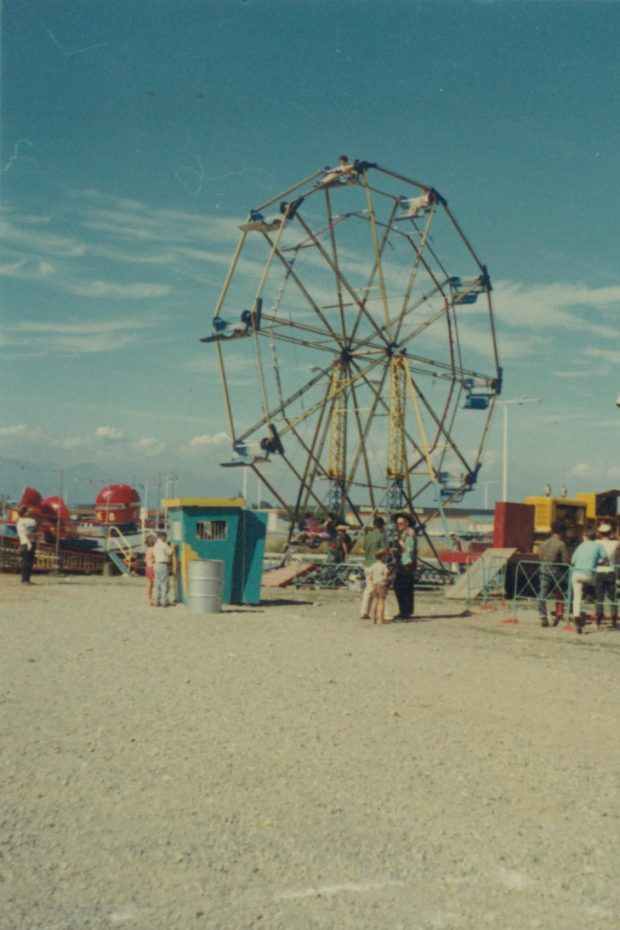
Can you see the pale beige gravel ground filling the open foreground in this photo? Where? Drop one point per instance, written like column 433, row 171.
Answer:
column 291, row 767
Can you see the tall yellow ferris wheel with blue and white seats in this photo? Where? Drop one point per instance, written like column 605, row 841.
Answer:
column 356, row 344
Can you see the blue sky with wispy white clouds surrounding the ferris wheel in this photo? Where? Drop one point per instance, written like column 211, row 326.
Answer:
column 136, row 136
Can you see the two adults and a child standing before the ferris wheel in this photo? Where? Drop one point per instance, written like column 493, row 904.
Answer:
column 385, row 560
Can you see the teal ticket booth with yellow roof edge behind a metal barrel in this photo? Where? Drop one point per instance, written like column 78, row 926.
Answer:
column 210, row 528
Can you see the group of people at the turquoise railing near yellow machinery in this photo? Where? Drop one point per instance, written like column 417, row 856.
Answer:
column 592, row 565
